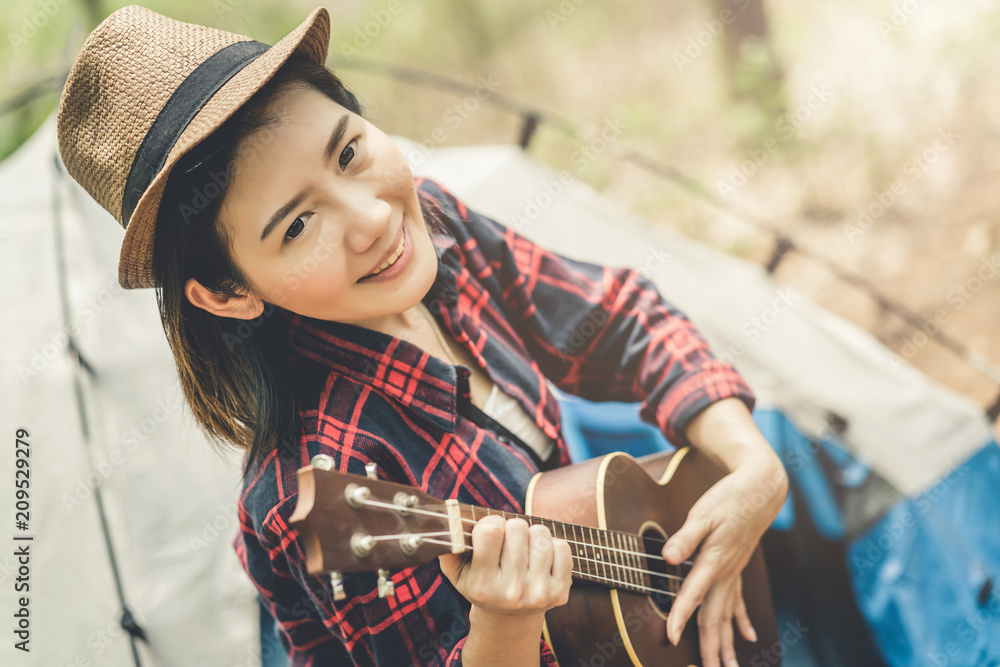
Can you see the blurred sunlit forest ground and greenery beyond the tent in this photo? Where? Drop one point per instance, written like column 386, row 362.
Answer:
column 795, row 117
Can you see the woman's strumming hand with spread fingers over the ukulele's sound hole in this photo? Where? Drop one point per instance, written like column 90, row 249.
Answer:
column 728, row 526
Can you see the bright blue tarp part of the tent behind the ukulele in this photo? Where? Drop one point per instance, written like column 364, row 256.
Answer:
column 924, row 576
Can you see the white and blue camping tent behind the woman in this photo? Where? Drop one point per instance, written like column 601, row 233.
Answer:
column 902, row 472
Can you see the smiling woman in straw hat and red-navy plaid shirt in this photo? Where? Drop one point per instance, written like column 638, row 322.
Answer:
column 319, row 299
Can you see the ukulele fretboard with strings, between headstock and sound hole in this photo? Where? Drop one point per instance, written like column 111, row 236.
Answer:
column 612, row 558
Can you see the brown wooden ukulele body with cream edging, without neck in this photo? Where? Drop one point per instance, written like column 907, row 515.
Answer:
column 604, row 627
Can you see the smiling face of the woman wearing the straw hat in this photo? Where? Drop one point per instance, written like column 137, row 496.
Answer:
column 320, row 200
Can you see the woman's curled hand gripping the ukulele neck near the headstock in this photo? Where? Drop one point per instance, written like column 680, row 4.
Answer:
column 514, row 570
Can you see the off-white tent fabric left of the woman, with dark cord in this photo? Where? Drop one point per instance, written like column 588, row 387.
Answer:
column 170, row 498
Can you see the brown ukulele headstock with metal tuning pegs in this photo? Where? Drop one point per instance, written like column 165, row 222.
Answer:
column 350, row 523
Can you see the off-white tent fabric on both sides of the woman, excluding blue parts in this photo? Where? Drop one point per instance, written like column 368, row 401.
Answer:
column 170, row 498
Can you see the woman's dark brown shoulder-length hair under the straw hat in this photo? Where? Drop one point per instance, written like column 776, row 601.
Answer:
column 230, row 369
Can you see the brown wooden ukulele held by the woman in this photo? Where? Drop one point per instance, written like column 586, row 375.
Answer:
column 615, row 512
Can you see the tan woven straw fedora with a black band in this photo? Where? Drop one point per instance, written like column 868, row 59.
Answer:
column 143, row 91
